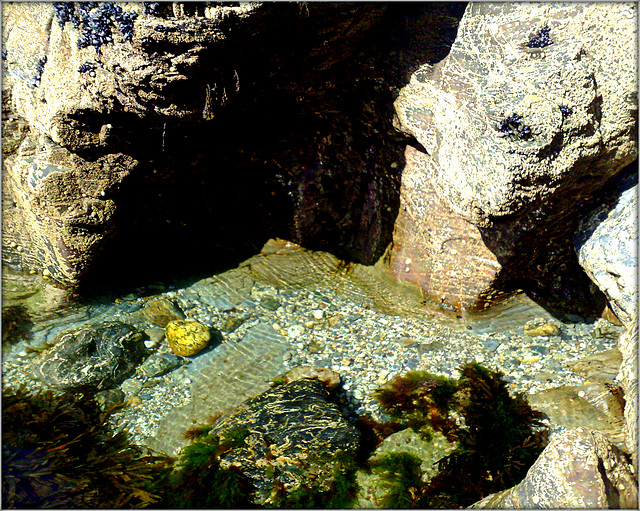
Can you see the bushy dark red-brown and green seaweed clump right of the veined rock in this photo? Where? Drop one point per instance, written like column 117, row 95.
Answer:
column 498, row 436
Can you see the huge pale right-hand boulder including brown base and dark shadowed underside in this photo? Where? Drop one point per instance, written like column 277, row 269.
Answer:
column 517, row 140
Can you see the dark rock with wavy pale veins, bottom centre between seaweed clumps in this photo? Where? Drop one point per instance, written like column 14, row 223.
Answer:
column 294, row 428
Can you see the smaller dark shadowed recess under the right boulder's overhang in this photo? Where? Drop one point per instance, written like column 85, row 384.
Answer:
column 538, row 255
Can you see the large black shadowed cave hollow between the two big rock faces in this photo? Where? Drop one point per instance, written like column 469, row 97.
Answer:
column 304, row 149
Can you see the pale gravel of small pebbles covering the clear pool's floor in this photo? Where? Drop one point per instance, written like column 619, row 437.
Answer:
column 365, row 347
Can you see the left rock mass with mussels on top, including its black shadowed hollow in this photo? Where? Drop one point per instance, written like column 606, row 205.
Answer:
column 276, row 117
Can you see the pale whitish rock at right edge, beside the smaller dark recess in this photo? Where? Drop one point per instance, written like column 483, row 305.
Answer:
column 607, row 247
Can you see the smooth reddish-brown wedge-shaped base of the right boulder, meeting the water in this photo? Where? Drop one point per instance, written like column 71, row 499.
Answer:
column 436, row 250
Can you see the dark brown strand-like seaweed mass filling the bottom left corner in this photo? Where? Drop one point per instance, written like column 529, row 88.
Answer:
column 59, row 452
